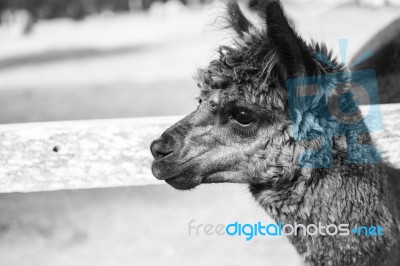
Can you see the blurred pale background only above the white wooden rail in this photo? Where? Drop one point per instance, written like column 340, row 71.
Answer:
column 87, row 59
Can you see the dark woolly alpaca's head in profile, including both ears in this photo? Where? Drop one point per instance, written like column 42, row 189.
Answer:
column 240, row 132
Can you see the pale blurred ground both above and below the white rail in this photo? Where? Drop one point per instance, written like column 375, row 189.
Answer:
column 96, row 59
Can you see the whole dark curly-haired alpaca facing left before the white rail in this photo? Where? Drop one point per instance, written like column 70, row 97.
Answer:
column 242, row 132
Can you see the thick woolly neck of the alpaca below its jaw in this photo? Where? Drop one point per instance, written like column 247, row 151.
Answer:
column 353, row 194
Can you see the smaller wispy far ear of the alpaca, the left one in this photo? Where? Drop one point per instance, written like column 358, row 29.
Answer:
column 236, row 19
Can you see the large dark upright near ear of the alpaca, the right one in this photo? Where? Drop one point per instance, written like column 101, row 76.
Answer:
column 292, row 50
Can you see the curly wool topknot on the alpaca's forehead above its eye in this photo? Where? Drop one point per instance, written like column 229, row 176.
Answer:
column 243, row 72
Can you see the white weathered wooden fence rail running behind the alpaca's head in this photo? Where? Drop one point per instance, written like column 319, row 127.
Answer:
column 109, row 153
